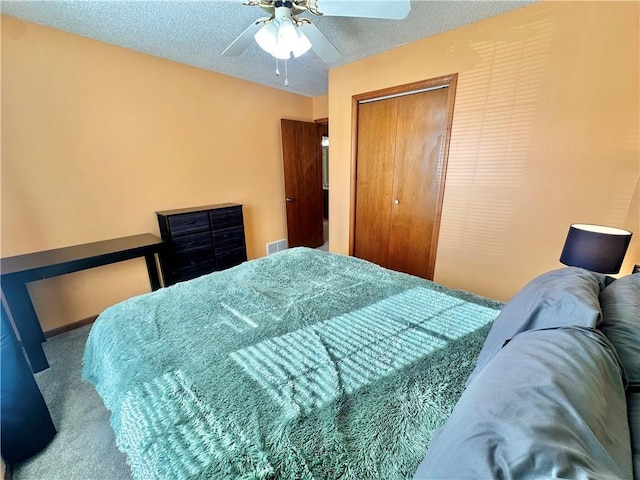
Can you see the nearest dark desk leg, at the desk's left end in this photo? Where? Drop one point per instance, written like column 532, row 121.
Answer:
column 26, row 321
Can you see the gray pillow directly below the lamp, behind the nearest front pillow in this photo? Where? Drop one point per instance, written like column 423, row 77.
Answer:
column 560, row 298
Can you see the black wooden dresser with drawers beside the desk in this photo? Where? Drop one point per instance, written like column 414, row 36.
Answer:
column 201, row 240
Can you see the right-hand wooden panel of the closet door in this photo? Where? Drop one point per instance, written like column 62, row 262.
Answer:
column 420, row 131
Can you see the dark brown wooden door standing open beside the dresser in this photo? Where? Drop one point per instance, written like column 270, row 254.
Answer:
column 302, row 164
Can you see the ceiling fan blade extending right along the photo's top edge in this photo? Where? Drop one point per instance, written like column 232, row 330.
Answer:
column 390, row 9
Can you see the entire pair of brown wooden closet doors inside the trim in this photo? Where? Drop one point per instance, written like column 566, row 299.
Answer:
column 399, row 153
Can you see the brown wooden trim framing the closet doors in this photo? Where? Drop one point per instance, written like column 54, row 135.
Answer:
column 399, row 90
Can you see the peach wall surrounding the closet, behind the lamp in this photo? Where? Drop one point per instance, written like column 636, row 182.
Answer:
column 545, row 133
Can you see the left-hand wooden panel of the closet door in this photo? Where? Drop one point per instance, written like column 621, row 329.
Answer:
column 374, row 179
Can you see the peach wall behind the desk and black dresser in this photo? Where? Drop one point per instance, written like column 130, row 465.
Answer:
column 97, row 138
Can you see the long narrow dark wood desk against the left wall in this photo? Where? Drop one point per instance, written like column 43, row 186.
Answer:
column 16, row 272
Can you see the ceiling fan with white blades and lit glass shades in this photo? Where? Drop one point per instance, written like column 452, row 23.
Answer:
column 283, row 33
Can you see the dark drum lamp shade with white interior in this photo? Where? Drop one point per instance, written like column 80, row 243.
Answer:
column 595, row 247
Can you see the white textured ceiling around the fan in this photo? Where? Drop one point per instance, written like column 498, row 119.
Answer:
column 196, row 32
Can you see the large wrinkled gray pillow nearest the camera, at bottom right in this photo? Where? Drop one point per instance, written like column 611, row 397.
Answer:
column 551, row 404
